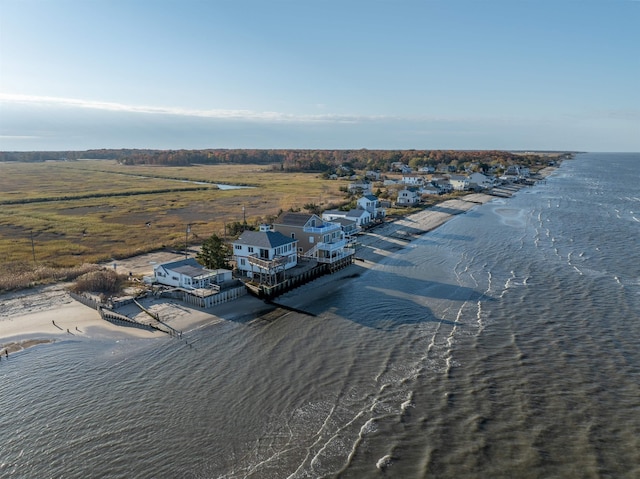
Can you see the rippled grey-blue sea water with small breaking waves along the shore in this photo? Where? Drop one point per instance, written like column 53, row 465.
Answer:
column 502, row 344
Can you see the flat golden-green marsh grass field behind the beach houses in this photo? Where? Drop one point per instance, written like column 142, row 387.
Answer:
column 95, row 210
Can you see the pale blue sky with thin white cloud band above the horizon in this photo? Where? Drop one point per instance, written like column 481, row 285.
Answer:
column 389, row 74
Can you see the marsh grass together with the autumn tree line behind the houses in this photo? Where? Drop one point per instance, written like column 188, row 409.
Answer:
column 57, row 215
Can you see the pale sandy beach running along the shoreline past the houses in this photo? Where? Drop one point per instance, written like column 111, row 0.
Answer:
column 48, row 313
